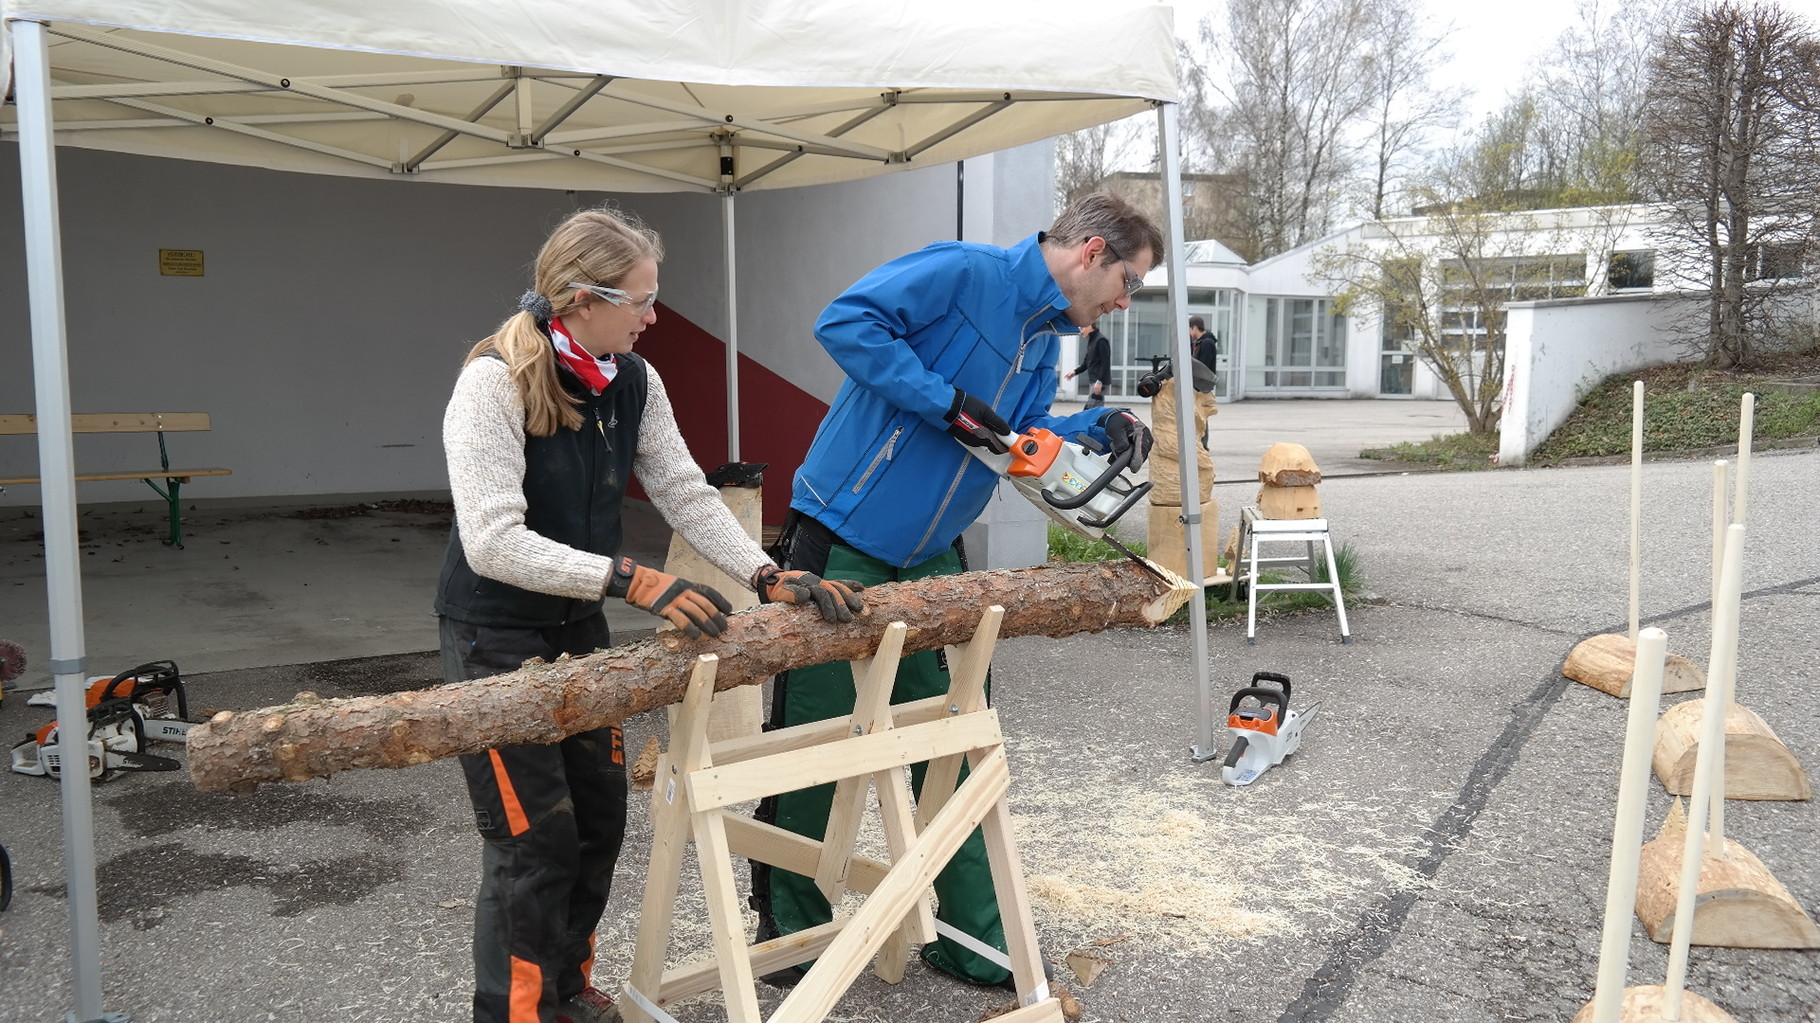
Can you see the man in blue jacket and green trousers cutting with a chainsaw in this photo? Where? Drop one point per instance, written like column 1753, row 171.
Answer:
column 951, row 343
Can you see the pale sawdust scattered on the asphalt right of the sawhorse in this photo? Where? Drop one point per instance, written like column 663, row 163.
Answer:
column 1188, row 864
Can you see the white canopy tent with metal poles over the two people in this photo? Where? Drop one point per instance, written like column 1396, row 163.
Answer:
column 711, row 96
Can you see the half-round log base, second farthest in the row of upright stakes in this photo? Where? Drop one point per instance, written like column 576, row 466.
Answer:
column 1757, row 764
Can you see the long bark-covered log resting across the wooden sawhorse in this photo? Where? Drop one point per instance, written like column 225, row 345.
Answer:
column 547, row 702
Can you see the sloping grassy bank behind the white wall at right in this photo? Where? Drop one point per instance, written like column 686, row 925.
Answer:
column 1684, row 407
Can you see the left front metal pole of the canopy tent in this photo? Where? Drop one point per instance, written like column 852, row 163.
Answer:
column 45, row 272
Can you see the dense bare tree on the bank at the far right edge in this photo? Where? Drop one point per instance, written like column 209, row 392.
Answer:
column 1732, row 147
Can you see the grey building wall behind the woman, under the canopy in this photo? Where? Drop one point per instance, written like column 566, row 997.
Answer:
column 334, row 312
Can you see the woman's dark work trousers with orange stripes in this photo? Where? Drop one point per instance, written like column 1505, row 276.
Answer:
column 554, row 818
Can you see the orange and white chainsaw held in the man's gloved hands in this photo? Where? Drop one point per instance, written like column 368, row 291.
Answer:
column 1077, row 483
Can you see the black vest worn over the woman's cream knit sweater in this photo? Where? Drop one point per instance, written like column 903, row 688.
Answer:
column 574, row 489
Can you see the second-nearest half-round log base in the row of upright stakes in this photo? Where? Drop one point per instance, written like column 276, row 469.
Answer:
column 1739, row 906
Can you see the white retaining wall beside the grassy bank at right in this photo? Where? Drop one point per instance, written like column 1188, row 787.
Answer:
column 1557, row 350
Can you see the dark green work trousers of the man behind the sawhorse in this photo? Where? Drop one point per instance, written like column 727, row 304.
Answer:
column 964, row 889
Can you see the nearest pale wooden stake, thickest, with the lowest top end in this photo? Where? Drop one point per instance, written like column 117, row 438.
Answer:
column 1628, row 827
